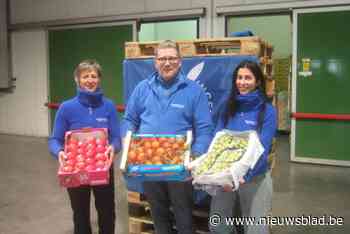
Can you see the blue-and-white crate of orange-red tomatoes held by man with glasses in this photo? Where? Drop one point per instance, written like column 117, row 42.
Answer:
column 156, row 157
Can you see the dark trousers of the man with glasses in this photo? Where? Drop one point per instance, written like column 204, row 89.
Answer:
column 162, row 196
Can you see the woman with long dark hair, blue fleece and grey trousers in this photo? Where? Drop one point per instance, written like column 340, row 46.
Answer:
column 248, row 109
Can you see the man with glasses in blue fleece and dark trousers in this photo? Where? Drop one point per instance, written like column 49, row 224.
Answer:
column 169, row 103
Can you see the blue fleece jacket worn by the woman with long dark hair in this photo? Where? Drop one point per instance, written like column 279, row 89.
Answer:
column 246, row 118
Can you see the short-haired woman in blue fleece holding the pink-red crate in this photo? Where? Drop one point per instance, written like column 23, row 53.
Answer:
column 88, row 109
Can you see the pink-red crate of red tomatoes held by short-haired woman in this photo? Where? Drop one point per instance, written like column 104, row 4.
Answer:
column 87, row 161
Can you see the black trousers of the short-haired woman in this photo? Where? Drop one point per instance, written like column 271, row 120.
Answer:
column 104, row 203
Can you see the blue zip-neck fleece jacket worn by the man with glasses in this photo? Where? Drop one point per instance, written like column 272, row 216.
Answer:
column 173, row 107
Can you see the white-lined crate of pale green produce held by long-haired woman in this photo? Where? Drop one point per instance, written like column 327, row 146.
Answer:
column 230, row 155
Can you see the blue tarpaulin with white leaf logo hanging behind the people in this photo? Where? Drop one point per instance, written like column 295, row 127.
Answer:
column 213, row 73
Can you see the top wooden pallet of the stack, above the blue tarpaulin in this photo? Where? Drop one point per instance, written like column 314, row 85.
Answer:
column 205, row 47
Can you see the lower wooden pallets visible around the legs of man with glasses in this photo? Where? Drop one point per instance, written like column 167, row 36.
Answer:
column 140, row 221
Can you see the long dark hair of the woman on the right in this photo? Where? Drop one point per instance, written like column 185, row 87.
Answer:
column 260, row 80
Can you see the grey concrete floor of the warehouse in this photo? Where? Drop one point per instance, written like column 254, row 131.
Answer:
column 31, row 202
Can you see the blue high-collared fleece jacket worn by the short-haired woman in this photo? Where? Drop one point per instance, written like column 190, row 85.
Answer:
column 86, row 110
